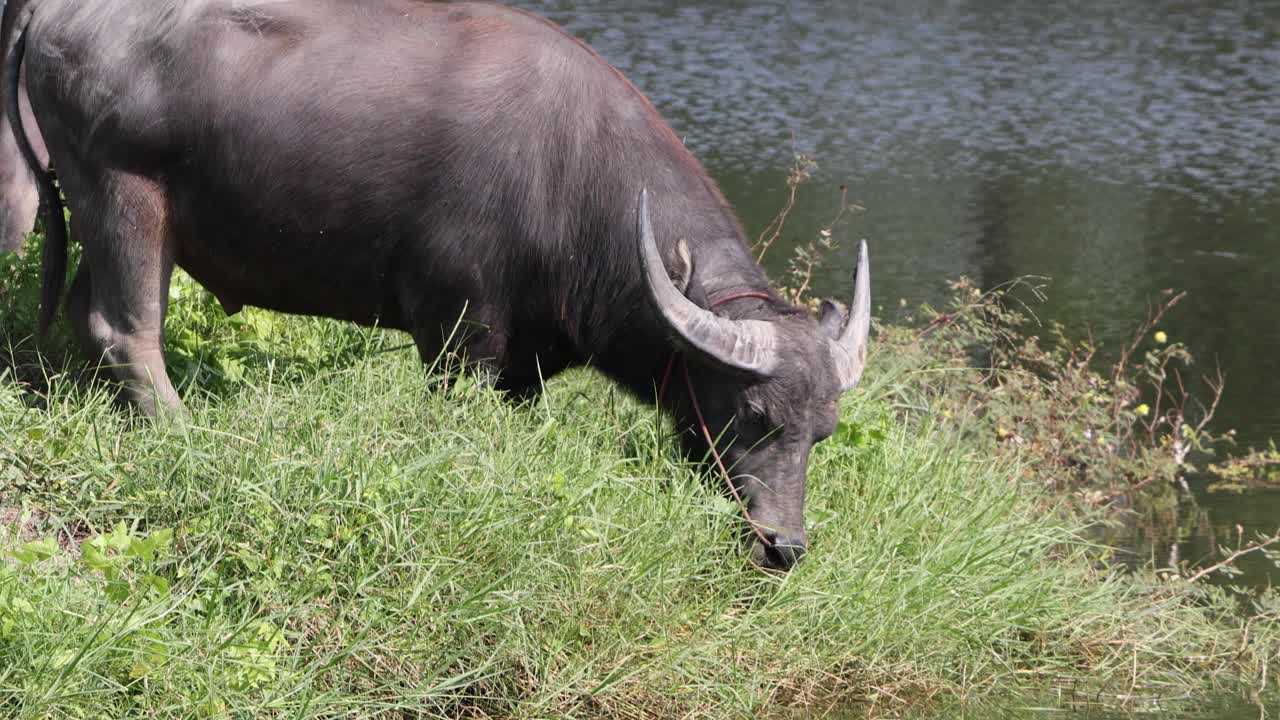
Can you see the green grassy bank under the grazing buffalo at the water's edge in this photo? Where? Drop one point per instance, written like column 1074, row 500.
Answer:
column 341, row 534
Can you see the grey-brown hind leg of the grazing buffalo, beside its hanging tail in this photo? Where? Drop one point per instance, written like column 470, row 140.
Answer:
column 121, row 294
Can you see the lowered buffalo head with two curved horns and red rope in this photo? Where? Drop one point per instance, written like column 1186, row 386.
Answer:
column 769, row 389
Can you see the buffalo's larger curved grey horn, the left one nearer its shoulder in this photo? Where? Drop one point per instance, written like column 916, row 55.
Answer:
column 742, row 345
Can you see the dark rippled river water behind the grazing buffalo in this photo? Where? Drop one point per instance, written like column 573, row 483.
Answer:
column 1116, row 148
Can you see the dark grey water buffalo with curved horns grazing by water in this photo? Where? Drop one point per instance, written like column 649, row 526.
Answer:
column 409, row 165
